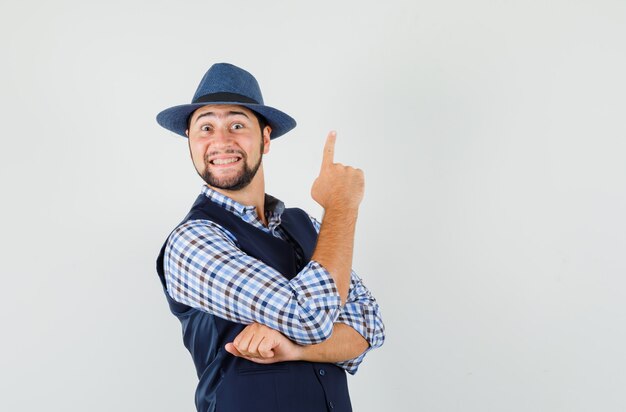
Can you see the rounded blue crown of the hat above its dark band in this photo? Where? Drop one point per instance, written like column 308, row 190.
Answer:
column 226, row 78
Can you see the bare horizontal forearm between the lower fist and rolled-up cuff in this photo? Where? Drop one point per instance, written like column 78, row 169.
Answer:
column 345, row 343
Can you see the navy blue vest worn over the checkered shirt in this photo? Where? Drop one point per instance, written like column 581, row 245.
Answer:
column 230, row 384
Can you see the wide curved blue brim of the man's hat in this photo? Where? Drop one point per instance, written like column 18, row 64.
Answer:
column 175, row 118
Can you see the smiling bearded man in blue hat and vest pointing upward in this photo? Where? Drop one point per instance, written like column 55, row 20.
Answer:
column 271, row 311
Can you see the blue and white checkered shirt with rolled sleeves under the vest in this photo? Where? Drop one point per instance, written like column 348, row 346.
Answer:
column 205, row 269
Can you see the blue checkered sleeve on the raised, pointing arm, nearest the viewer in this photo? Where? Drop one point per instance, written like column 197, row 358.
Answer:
column 206, row 270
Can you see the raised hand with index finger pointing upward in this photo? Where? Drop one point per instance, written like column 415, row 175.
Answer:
column 337, row 185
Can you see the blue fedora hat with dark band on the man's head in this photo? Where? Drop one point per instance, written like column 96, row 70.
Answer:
column 225, row 83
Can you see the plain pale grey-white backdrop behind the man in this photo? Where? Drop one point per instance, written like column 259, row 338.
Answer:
column 492, row 232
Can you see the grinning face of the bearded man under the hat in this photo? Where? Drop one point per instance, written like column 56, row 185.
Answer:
column 227, row 145
